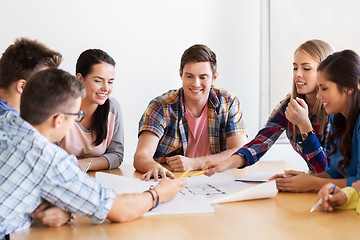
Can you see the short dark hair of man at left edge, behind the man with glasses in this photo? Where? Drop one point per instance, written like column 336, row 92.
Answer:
column 23, row 58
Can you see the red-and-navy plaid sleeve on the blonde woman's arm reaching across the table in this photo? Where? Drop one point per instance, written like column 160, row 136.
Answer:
column 265, row 138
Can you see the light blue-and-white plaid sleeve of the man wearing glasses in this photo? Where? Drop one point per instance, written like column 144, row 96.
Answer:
column 67, row 187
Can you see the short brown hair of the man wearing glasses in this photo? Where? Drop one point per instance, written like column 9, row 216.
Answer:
column 48, row 92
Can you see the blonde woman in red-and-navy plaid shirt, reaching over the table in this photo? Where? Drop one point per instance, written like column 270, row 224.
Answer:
column 300, row 114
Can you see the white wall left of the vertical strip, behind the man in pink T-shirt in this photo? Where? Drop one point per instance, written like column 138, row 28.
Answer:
column 147, row 39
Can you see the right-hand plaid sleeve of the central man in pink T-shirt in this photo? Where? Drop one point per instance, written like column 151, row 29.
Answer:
column 235, row 124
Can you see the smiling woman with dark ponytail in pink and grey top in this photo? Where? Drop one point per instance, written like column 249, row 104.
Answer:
column 99, row 138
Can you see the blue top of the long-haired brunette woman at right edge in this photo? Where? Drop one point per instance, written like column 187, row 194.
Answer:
column 353, row 170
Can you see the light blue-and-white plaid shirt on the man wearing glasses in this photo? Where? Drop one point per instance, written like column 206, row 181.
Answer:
column 32, row 170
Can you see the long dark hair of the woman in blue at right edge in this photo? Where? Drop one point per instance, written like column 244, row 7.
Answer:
column 343, row 68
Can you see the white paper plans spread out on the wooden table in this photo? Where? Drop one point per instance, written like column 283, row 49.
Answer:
column 198, row 195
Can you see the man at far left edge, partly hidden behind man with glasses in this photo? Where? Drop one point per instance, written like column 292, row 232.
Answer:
column 19, row 61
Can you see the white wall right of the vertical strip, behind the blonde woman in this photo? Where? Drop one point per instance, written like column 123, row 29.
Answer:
column 293, row 22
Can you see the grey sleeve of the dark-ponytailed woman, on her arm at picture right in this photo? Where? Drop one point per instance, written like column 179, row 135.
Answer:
column 115, row 152
